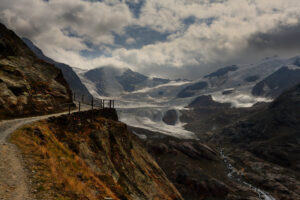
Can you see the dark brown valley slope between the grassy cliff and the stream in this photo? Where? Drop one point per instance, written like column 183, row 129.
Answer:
column 196, row 169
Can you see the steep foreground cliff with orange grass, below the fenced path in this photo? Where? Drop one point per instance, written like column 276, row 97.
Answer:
column 90, row 155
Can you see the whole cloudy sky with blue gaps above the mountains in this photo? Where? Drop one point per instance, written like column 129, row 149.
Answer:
column 175, row 38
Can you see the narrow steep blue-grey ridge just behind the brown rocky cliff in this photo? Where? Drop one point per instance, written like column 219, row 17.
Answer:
column 71, row 77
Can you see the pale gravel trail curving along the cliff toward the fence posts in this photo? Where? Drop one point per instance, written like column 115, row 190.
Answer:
column 13, row 181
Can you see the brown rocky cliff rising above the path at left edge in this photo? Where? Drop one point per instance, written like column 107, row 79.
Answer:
column 28, row 86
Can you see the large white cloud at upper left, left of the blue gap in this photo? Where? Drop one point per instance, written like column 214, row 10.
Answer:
column 44, row 22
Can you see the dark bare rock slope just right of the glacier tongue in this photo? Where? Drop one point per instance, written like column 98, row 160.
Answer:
column 206, row 116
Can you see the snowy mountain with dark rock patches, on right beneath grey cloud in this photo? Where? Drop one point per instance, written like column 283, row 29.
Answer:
column 268, row 79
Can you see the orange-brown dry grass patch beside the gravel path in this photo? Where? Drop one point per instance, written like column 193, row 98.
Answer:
column 58, row 170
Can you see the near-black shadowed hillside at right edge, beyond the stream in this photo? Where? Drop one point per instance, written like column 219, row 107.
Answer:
column 267, row 145
